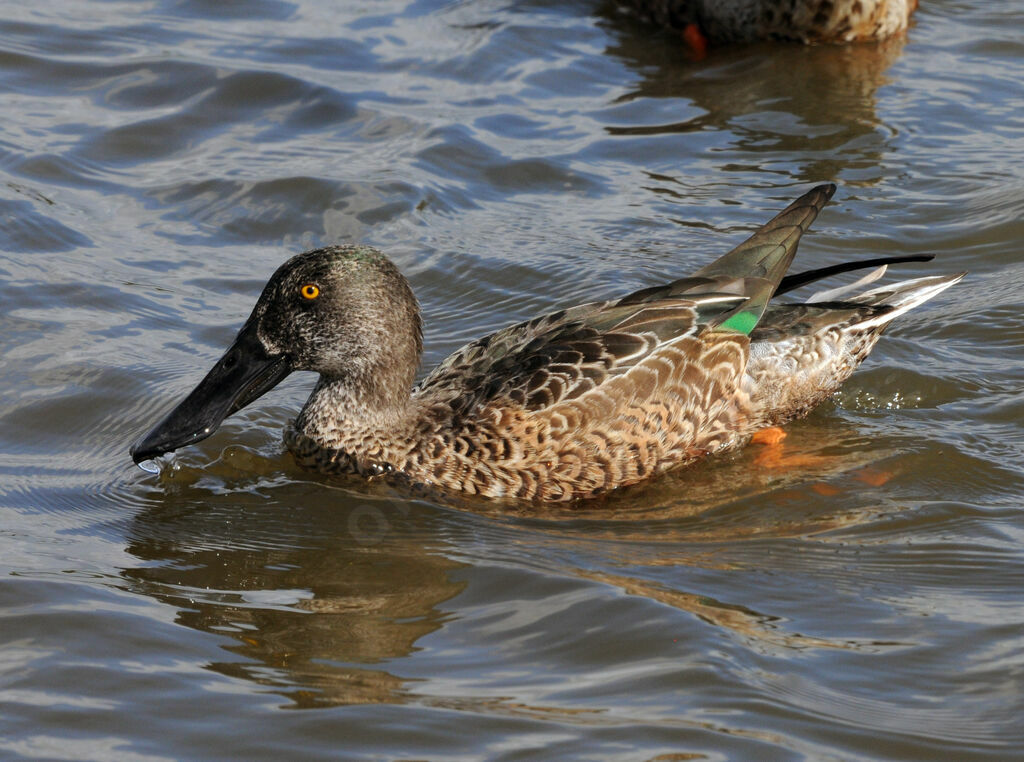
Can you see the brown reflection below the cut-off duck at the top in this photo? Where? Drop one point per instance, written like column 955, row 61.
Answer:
column 776, row 103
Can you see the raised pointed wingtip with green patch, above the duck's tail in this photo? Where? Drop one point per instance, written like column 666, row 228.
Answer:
column 761, row 262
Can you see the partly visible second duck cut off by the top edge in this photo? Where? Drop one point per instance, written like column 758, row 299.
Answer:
column 803, row 21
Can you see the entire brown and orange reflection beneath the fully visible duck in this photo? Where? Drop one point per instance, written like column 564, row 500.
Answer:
column 325, row 590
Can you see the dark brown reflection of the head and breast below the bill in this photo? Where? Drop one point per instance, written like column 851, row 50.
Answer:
column 312, row 607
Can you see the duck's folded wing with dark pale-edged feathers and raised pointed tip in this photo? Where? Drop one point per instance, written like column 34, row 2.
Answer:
column 565, row 355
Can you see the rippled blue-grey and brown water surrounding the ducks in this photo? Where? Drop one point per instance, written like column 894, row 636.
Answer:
column 859, row 598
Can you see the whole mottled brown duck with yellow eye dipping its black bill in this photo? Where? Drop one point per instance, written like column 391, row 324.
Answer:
column 569, row 405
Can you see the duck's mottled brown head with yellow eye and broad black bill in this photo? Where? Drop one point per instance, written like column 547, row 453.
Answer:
column 344, row 312
